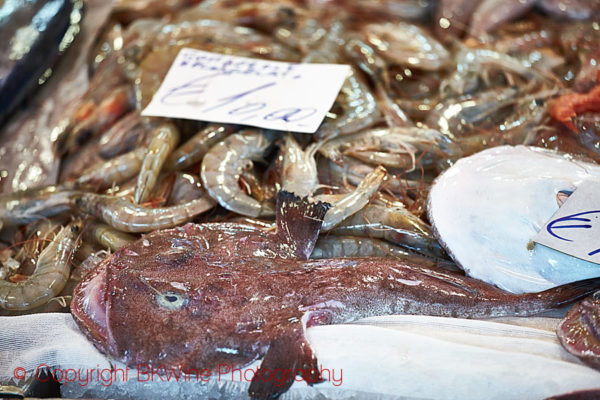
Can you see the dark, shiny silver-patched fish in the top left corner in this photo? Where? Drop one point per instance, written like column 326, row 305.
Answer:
column 33, row 33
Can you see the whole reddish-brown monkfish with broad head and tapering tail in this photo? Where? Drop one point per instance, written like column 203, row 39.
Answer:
column 168, row 299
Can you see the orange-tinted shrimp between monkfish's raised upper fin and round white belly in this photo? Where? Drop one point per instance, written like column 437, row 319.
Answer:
column 393, row 223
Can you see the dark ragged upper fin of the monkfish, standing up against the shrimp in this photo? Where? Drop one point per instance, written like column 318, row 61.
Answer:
column 298, row 223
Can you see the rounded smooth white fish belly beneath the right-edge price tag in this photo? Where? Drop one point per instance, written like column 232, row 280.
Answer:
column 507, row 194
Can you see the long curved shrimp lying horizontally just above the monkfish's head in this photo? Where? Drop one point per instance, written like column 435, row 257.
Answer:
column 128, row 217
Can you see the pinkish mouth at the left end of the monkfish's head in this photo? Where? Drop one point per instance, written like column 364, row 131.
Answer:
column 89, row 307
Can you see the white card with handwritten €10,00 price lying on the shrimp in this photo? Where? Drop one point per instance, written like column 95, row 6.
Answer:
column 268, row 94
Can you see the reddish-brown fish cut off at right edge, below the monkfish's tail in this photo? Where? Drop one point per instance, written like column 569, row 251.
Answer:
column 579, row 331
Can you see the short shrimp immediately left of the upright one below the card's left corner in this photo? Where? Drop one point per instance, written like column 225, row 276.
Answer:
column 113, row 172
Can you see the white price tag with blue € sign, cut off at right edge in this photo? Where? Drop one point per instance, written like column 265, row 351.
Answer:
column 575, row 228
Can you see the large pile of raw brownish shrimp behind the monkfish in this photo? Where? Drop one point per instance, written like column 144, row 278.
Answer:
column 430, row 82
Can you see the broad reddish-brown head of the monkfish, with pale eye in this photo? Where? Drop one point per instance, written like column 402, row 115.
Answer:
column 170, row 309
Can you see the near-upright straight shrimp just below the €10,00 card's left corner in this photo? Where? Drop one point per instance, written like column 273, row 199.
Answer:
column 164, row 139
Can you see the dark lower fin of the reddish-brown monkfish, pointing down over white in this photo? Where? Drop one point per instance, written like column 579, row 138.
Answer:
column 287, row 357
